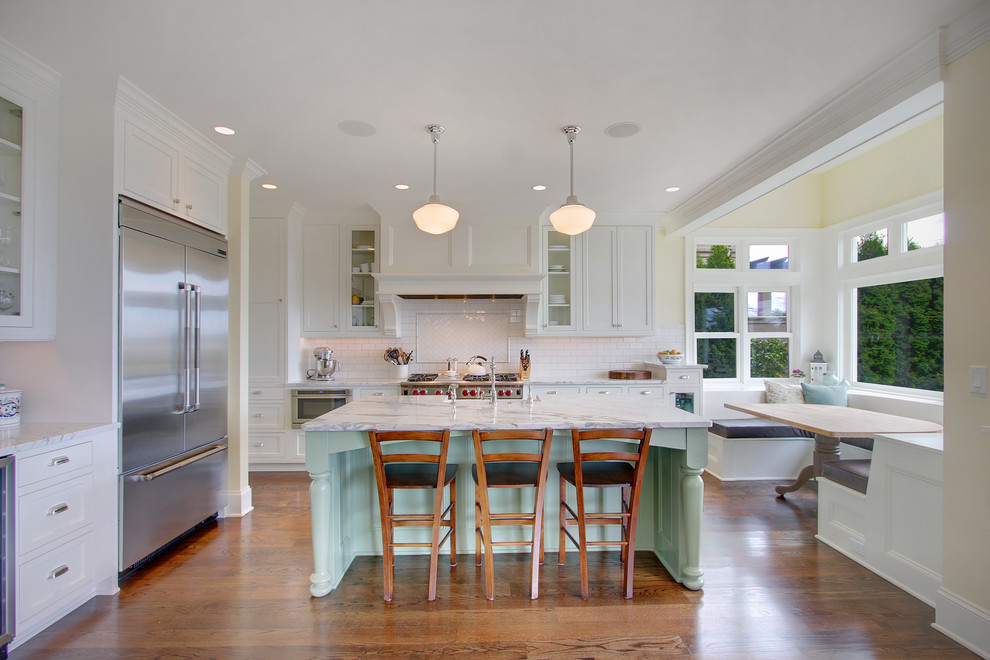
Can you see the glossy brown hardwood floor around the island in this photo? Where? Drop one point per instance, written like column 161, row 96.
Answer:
column 239, row 590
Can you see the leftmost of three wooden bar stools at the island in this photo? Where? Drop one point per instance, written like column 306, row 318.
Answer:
column 414, row 470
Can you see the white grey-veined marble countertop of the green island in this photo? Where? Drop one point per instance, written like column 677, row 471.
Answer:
column 561, row 411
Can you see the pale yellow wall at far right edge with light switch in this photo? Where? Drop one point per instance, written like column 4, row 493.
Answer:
column 966, row 523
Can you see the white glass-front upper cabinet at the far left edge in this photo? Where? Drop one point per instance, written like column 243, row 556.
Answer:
column 28, row 197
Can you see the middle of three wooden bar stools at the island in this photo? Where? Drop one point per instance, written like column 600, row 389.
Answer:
column 509, row 469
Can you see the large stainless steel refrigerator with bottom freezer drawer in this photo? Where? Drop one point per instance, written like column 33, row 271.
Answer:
column 173, row 378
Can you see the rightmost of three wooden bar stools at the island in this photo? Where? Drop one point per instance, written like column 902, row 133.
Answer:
column 601, row 468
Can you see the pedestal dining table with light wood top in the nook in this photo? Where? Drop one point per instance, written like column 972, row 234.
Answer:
column 831, row 424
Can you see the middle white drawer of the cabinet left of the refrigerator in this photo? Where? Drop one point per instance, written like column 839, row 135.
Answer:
column 51, row 513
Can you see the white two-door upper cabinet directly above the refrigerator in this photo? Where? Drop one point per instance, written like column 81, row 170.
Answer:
column 167, row 165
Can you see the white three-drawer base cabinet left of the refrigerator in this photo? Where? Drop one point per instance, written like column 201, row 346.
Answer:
column 66, row 517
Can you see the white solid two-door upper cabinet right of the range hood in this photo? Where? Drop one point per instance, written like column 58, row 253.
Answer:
column 617, row 281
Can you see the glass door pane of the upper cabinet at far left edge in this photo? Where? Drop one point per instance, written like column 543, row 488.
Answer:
column 11, row 122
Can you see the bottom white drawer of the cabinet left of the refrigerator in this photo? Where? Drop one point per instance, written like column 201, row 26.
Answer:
column 54, row 576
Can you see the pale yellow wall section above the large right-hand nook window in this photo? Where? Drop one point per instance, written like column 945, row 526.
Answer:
column 906, row 167
